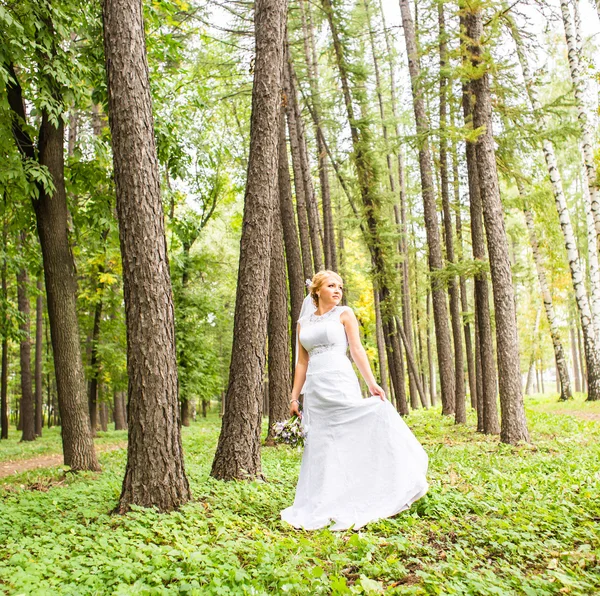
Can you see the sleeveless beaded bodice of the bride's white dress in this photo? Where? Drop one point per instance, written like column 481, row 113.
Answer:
column 324, row 333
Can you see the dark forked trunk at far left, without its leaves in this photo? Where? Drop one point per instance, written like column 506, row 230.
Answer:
column 61, row 285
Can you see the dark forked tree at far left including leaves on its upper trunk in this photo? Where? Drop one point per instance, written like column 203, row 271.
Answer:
column 50, row 206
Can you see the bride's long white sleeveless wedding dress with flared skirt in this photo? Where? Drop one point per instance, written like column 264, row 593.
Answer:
column 361, row 462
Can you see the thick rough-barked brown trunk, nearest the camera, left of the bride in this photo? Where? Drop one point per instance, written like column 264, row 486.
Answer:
column 155, row 474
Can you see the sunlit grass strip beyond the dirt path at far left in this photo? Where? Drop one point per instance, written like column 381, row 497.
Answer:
column 12, row 449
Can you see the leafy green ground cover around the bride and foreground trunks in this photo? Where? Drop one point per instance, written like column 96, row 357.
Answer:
column 497, row 520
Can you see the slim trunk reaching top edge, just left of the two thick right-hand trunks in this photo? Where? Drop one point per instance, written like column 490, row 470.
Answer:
column 460, row 413
